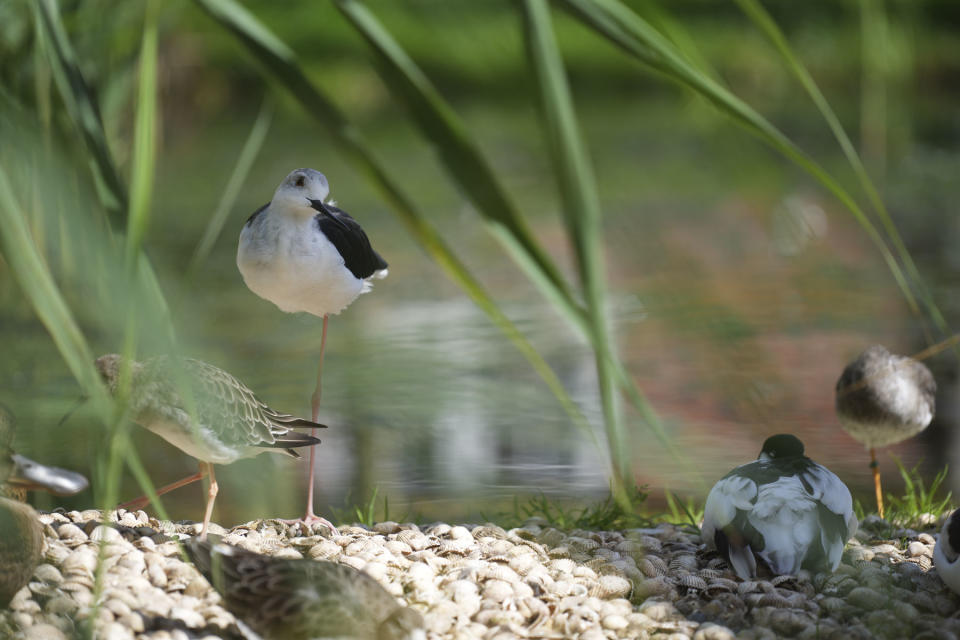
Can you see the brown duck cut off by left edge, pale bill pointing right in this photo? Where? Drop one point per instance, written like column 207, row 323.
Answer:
column 21, row 535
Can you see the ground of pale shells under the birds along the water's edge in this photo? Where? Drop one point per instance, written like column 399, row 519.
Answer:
column 481, row 581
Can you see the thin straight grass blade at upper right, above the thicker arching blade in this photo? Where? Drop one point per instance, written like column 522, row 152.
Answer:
column 768, row 26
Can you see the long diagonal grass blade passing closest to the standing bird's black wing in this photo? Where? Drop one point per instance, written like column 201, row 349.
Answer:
column 281, row 64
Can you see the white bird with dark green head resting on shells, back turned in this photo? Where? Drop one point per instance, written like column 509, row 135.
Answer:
column 783, row 509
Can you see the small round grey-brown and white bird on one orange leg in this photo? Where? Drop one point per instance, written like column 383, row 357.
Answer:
column 882, row 399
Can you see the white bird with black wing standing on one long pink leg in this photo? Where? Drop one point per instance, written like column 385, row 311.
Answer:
column 302, row 253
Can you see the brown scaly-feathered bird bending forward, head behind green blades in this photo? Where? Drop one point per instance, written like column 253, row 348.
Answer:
column 231, row 422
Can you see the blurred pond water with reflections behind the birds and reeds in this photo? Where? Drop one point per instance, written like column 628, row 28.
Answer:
column 738, row 293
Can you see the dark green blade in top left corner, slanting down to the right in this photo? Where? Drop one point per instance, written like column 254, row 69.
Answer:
column 82, row 108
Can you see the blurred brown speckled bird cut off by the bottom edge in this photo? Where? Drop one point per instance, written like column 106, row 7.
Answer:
column 292, row 599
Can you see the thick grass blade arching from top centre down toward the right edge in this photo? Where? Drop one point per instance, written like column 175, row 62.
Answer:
column 617, row 23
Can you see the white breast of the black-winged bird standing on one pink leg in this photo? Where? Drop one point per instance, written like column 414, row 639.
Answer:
column 288, row 261
